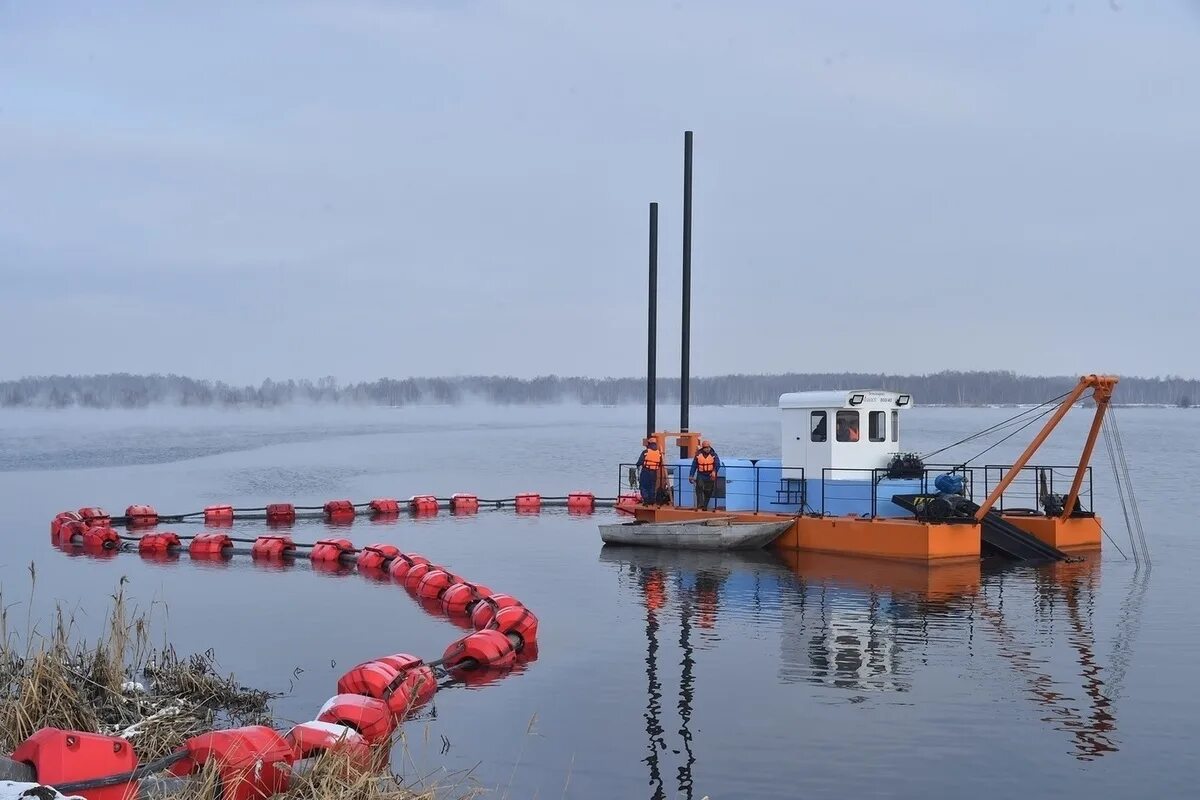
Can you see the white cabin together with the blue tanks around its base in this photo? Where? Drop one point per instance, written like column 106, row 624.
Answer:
column 831, row 443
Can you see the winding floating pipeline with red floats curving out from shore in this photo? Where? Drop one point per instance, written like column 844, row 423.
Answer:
column 374, row 699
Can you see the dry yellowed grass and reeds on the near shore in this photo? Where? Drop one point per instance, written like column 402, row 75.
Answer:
column 155, row 699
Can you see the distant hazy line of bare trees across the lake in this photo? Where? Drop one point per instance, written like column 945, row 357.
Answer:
column 124, row 390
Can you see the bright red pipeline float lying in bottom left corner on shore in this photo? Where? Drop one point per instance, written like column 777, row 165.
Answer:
column 62, row 757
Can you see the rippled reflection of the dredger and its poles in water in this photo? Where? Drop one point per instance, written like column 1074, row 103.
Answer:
column 866, row 627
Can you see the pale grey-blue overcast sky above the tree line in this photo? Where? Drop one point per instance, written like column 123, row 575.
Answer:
column 358, row 189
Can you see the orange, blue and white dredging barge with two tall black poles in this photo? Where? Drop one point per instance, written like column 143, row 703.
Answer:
column 848, row 488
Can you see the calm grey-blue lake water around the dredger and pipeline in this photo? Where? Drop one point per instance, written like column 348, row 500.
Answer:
column 659, row 675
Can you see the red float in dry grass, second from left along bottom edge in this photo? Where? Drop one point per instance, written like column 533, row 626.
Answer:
column 254, row 762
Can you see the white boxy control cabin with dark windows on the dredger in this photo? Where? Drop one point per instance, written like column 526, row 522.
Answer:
column 839, row 431
